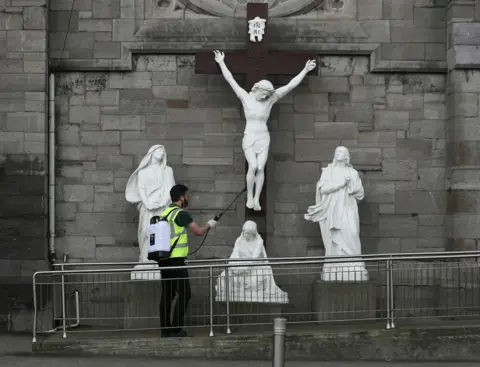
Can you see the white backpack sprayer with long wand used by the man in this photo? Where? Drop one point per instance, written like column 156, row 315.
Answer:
column 159, row 234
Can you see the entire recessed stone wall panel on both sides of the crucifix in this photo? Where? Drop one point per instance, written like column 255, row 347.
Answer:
column 393, row 126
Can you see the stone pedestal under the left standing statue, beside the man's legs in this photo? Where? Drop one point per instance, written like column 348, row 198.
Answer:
column 142, row 300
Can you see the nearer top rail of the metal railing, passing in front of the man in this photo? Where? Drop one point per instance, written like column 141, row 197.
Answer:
column 311, row 262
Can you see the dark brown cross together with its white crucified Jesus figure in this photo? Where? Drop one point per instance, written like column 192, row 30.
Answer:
column 257, row 98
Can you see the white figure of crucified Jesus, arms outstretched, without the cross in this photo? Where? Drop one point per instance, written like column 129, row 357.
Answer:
column 256, row 139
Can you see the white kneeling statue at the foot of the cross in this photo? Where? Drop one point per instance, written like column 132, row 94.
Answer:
column 248, row 283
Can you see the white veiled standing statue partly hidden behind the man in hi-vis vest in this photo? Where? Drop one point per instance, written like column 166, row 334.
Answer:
column 149, row 187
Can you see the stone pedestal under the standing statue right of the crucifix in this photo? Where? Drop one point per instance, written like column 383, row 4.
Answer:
column 334, row 301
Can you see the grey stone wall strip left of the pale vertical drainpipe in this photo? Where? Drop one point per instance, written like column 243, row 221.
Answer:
column 23, row 153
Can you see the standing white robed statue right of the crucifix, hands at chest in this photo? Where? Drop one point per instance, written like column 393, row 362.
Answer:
column 336, row 210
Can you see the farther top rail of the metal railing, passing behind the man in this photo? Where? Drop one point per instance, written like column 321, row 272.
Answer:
column 364, row 256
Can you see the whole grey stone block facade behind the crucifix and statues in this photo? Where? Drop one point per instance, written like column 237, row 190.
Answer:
column 412, row 131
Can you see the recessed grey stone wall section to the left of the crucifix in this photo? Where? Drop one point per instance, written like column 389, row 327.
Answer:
column 106, row 124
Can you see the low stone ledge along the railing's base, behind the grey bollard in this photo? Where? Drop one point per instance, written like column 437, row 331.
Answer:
column 442, row 343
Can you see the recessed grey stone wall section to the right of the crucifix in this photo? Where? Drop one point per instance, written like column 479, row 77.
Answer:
column 394, row 128
